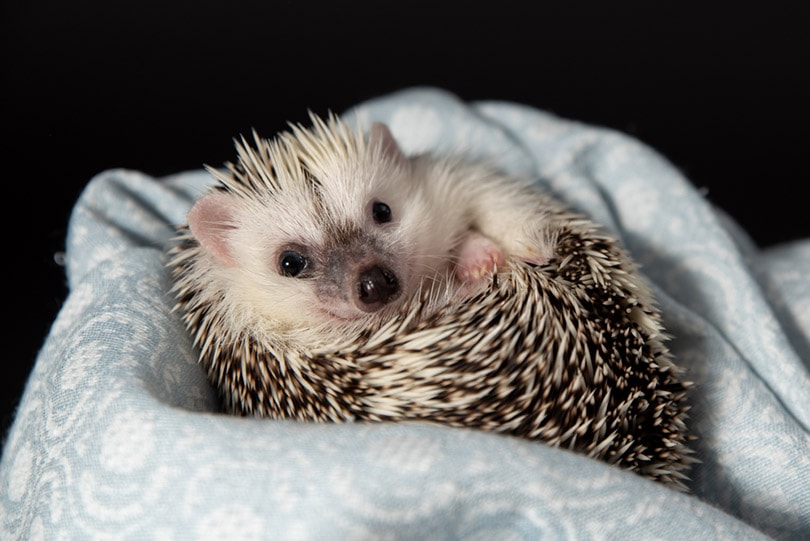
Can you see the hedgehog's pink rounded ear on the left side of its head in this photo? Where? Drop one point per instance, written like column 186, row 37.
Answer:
column 211, row 219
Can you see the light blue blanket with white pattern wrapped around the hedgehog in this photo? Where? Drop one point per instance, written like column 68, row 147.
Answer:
column 116, row 435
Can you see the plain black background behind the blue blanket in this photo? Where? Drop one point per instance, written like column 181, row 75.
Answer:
column 164, row 87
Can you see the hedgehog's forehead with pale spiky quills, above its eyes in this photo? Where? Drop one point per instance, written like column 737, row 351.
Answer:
column 314, row 185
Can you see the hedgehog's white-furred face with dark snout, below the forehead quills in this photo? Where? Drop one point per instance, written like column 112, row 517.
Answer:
column 295, row 265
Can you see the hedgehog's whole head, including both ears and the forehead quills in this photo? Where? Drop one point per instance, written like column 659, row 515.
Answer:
column 343, row 231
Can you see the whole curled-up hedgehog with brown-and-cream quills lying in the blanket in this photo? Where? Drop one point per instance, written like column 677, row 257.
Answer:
column 329, row 277
